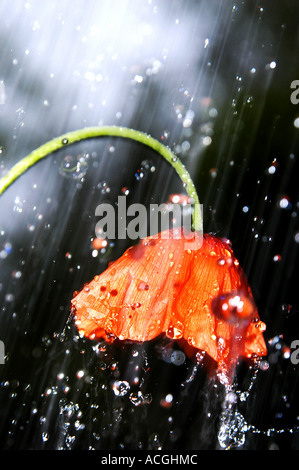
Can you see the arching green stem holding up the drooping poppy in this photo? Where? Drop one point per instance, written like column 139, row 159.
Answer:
column 109, row 131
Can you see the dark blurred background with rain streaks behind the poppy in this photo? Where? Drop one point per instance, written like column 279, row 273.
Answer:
column 66, row 66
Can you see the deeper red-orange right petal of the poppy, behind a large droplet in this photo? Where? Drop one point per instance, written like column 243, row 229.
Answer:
column 219, row 318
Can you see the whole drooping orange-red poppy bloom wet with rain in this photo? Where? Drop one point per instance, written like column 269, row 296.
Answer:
column 197, row 296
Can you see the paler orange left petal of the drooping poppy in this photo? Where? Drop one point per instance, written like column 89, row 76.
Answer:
column 133, row 298
